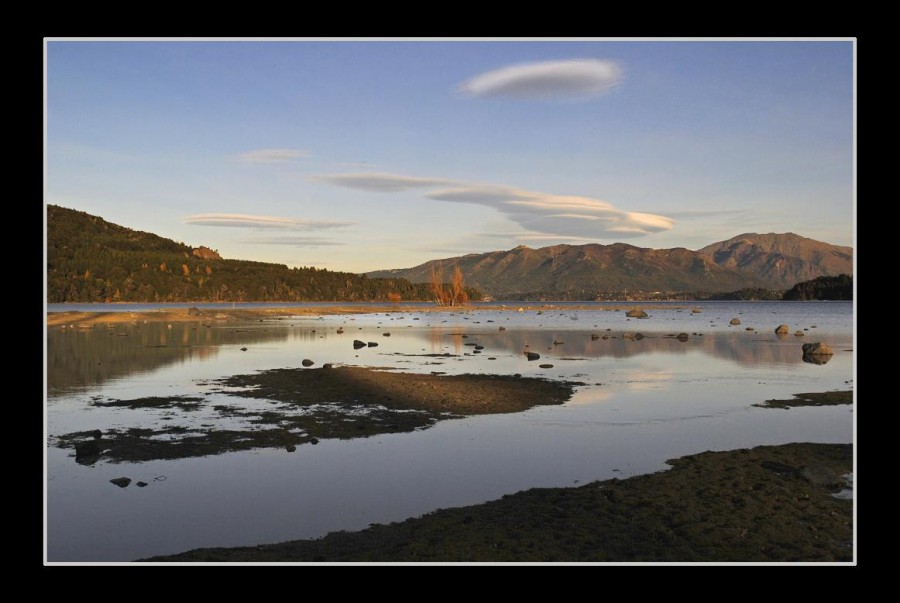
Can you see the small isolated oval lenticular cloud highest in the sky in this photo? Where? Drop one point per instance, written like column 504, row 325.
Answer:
column 570, row 79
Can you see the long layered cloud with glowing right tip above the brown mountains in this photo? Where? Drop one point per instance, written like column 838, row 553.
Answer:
column 546, row 213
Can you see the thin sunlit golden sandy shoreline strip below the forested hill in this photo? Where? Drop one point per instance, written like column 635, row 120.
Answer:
column 81, row 318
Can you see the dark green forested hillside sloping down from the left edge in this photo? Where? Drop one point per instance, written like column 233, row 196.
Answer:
column 92, row 260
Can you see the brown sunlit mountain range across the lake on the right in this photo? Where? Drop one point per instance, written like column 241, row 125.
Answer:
column 771, row 262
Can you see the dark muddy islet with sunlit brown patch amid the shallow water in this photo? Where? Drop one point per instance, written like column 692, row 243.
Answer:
column 312, row 404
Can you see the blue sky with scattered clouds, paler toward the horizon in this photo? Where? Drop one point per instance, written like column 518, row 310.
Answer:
column 368, row 154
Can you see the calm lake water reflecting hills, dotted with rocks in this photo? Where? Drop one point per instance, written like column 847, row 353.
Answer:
column 645, row 401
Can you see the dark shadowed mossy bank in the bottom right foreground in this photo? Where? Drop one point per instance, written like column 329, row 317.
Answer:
column 766, row 504
